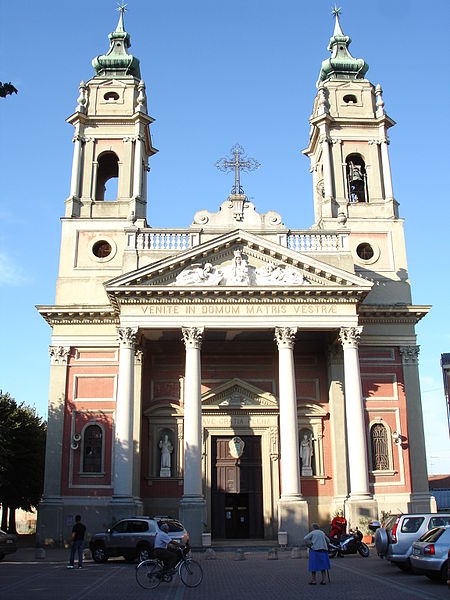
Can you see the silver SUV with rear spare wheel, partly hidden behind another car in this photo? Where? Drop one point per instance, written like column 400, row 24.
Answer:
column 394, row 541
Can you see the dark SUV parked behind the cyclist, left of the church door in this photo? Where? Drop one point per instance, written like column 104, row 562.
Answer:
column 134, row 538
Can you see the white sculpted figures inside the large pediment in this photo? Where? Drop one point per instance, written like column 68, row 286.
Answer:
column 239, row 272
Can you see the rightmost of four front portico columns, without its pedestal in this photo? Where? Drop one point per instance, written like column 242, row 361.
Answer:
column 354, row 411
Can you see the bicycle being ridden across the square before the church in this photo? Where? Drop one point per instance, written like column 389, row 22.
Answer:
column 150, row 573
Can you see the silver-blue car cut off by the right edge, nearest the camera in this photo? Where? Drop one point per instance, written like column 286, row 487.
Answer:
column 430, row 554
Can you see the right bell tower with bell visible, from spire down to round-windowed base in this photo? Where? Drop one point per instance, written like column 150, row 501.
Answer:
column 352, row 183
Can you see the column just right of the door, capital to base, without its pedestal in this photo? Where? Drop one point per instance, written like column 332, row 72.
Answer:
column 290, row 462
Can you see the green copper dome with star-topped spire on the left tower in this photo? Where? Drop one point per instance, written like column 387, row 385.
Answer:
column 117, row 62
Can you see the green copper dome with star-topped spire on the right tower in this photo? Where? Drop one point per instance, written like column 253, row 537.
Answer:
column 341, row 65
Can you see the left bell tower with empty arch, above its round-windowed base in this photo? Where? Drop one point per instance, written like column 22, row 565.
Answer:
column 112, row 140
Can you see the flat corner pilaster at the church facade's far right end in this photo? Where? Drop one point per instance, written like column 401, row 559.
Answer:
column 420, row 496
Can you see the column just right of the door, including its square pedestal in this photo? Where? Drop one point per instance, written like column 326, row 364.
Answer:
column 292, row 508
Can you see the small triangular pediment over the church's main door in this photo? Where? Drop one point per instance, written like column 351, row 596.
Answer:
column 235, row 394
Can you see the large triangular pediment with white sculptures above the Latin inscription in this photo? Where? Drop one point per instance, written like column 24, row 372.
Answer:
column 238, row 260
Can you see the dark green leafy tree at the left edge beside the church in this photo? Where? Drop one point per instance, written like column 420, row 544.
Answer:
column 22, row 435
